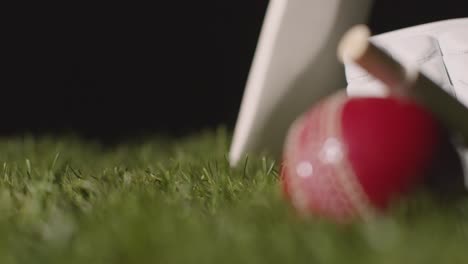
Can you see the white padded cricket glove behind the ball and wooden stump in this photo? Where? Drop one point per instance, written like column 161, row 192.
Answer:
column 439, row 49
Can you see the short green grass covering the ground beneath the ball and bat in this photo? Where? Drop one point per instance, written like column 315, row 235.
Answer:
column 161, row 201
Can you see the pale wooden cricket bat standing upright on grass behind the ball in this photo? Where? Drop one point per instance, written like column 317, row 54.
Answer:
column 294, row 65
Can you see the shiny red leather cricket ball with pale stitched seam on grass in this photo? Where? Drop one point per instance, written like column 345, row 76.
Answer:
column 351, row 157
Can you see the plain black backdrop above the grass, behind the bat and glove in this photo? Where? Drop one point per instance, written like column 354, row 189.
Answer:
column 119, row 72
